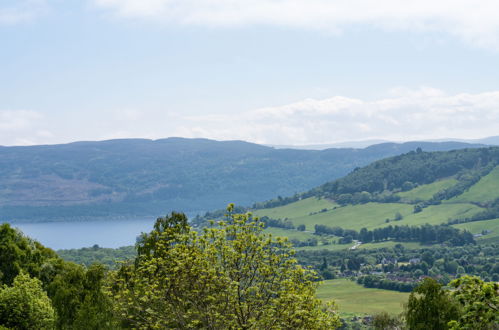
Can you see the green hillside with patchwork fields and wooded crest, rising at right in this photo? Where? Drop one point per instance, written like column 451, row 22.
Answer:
column 457, row 187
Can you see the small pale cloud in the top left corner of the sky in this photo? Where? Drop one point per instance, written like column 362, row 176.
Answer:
column 21, row 11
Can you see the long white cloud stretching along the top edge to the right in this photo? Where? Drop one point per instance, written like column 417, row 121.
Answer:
column 474, row 21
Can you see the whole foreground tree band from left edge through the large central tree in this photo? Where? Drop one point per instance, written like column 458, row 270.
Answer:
column 228, row 276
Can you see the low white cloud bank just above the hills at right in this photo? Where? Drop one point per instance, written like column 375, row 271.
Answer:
column 410, row 115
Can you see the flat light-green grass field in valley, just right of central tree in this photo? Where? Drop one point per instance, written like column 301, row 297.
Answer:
column 353, row 298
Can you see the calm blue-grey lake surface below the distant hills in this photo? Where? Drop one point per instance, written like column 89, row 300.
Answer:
column 72, row 235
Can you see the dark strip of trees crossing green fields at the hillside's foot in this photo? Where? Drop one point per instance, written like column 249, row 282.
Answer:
column 426, row 234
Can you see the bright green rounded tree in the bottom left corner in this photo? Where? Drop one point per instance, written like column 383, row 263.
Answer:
column 25, row 305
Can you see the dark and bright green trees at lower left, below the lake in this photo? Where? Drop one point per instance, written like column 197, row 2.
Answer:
column 42, row 291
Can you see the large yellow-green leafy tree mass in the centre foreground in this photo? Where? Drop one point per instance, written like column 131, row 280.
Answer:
column 230, row 276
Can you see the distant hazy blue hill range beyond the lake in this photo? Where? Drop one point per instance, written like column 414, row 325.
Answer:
column 138, row 177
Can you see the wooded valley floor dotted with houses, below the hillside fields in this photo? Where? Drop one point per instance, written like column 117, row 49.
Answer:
column 407, row 265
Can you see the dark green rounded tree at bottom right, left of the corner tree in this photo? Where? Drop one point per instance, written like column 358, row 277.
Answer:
column 430, row 307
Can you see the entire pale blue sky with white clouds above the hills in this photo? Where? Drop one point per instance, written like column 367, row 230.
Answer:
column 284, row 72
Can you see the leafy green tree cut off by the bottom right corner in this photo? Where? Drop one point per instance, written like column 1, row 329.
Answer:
column 479, row 301
